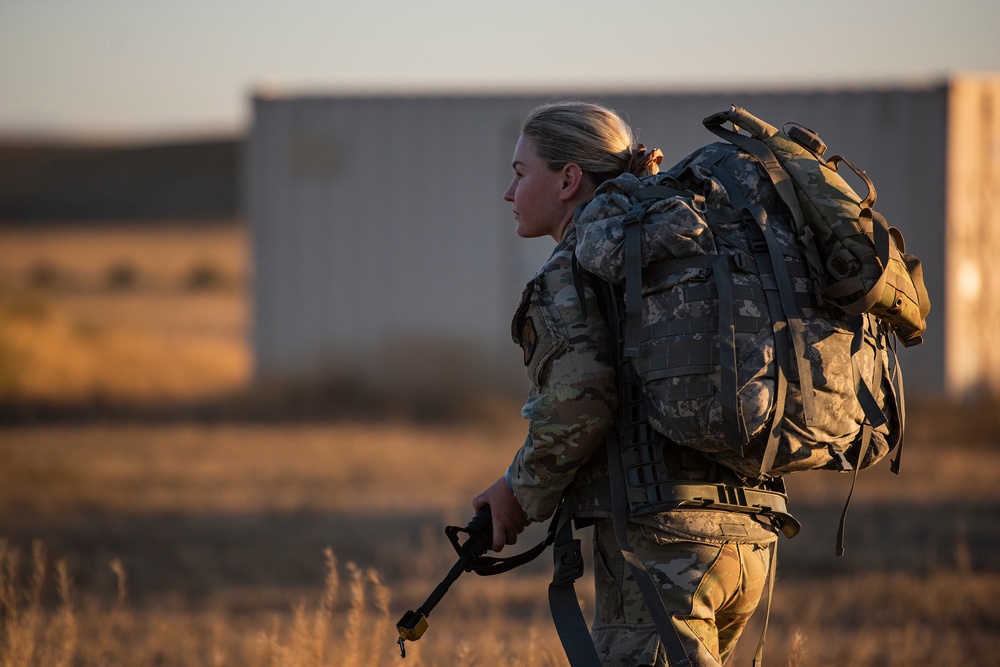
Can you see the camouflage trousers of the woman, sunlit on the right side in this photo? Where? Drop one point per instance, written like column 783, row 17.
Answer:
column 710, row 589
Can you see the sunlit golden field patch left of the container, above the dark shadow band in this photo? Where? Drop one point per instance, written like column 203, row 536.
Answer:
column 99, row 315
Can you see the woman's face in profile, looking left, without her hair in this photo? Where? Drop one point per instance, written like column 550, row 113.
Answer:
column 535, row 193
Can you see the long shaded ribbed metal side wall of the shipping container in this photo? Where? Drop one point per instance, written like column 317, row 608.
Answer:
column 383, row 249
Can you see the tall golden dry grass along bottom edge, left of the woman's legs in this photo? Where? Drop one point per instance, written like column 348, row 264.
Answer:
column 347, row 625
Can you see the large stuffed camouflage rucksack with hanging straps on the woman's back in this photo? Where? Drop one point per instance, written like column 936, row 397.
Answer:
column 762, row 299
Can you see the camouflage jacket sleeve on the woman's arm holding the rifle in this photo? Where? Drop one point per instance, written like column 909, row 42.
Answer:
column 572, row 400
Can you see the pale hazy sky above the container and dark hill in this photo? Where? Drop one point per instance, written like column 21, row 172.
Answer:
column 140, row 68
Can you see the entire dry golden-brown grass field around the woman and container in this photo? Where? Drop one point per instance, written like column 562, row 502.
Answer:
column 154, row 511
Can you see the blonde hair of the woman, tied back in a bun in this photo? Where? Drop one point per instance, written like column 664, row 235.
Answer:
column 593, row 136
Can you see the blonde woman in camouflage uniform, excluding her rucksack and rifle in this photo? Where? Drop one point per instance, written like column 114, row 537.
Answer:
column 709, row 566
